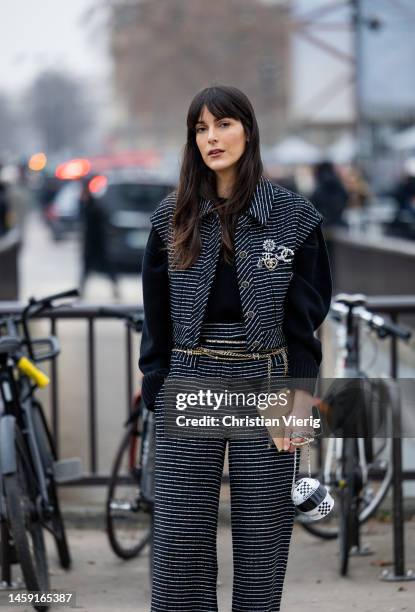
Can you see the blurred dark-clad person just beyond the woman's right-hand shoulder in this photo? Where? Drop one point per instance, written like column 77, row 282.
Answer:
column 329, row 196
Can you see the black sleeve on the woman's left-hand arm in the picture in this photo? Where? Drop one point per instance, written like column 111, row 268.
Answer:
column 156, row 339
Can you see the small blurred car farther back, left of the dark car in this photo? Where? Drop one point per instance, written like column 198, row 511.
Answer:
column 63, row 213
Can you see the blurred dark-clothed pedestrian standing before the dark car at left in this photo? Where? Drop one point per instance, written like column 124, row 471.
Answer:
column 95, row 256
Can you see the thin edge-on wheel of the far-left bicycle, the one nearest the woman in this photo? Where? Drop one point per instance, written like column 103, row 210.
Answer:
column 48, row 455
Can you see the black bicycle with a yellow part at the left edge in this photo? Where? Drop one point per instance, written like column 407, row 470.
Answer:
column 29, row 468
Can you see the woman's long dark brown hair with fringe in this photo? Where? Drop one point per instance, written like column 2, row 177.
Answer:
column 198, row 180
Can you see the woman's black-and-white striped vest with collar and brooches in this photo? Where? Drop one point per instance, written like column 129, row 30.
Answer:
column 267, row 236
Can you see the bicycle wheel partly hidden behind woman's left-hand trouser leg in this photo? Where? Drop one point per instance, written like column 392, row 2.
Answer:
column 128, row 511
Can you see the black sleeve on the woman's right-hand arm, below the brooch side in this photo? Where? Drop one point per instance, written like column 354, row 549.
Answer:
column 307, row 304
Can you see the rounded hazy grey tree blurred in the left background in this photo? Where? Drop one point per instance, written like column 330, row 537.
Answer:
column 59, row 111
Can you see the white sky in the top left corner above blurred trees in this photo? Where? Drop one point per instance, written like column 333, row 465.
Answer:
column 38, row 34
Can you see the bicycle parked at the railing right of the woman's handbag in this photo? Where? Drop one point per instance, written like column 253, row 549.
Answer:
column 357, row 469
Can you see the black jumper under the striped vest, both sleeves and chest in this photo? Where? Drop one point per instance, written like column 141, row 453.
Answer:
column 306, row 305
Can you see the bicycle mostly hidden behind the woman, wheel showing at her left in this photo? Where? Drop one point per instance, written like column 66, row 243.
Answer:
column 130, row 498
